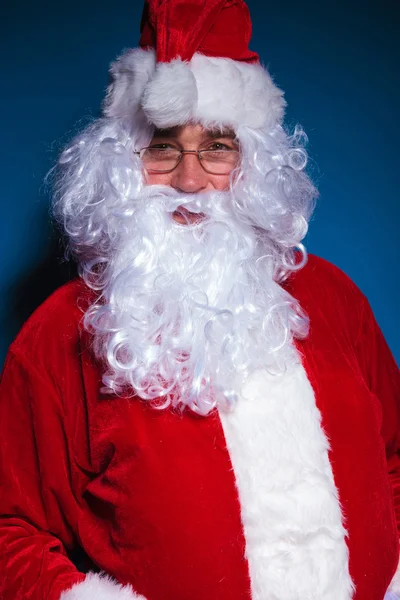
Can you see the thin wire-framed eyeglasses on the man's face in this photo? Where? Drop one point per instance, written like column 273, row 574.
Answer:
column 166, row 159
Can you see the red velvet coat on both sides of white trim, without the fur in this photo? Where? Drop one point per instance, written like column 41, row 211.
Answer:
column 150, row 496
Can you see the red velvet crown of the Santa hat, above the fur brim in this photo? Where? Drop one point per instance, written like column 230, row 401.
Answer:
column 175, row 28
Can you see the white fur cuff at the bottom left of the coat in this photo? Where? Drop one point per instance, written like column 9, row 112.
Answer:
column 100, row 587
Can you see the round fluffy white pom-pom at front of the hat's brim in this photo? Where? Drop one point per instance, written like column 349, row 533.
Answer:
column 170, row 98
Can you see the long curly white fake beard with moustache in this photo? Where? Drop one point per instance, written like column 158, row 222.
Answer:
column 187, row 312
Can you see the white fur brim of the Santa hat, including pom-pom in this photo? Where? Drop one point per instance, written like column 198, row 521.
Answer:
column 214, row 91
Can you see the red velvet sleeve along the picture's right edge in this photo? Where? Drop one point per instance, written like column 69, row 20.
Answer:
column 383, row 379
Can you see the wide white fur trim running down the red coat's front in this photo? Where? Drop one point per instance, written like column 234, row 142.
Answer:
column 295, row 539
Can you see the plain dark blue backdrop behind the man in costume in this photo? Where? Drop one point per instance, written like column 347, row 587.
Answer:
column 338, row 64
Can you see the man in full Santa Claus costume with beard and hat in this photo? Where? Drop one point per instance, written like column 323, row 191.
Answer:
column 206, row 413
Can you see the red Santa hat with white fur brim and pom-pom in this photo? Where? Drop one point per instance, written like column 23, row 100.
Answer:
column 194, row 64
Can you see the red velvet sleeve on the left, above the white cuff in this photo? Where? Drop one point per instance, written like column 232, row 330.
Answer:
column 37, row 503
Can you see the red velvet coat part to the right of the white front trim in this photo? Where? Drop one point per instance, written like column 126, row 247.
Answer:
column 357, row 387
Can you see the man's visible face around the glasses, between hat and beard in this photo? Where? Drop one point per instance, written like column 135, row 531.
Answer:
column 189, row 177
